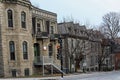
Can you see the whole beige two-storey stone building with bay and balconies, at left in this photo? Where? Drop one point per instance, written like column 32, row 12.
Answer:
column 28, row 38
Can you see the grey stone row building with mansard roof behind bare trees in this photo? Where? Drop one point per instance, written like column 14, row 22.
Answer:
column 81, row 47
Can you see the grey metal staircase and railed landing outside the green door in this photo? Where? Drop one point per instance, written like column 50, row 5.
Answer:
column 49, row 64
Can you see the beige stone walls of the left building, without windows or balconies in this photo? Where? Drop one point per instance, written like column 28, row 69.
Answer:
column 18, row 35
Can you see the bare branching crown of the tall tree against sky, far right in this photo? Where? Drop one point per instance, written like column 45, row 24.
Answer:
column 111, row 25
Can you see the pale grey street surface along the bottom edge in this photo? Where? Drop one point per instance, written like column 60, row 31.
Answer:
column 114, row 75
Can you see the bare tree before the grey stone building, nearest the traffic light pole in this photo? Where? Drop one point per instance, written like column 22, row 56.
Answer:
column 76, row 52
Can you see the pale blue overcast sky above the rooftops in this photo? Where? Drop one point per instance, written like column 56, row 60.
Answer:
column 90, row 11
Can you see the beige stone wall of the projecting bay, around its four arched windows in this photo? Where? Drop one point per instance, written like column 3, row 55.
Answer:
column 18, row 35
